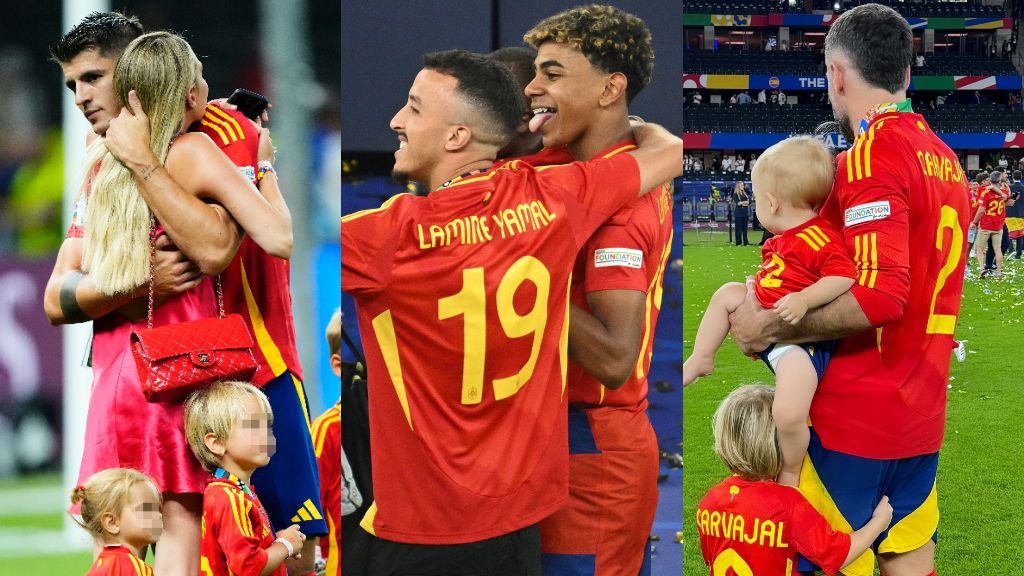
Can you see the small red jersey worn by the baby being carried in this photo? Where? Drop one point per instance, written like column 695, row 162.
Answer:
column 799, row 258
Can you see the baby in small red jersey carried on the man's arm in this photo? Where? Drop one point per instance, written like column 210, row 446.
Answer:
column 804, row 267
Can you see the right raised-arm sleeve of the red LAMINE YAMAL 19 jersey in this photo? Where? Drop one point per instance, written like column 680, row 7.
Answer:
column 599, row 189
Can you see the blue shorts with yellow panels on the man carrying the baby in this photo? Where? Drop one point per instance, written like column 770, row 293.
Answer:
column 846, row 489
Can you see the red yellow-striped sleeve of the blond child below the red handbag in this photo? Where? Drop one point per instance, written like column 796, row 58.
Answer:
column 239, row 537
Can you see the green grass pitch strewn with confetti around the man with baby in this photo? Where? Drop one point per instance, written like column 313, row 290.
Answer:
column 980, row 483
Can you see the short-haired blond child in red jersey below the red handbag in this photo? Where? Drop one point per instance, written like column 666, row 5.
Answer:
column 229, row 431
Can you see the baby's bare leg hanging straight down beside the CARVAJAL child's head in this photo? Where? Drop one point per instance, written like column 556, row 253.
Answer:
column 796, row 382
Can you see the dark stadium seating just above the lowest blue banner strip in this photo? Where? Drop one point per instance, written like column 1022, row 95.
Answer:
column 803, row 119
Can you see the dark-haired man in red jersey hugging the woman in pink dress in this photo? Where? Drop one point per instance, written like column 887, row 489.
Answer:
column 257, row 285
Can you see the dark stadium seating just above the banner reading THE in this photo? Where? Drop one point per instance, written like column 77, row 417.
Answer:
column 799, row 63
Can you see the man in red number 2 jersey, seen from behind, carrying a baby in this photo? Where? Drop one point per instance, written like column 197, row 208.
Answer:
column 879, row 414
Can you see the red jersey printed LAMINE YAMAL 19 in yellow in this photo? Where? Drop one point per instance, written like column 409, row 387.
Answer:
column 462, row 300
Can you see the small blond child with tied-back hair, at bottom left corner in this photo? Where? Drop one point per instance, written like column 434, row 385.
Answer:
column 120, row 508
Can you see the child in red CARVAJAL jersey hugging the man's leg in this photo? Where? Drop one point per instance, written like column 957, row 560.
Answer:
column 752, row 525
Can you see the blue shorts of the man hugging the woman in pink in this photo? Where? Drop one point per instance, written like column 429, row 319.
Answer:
column 289, row 486
